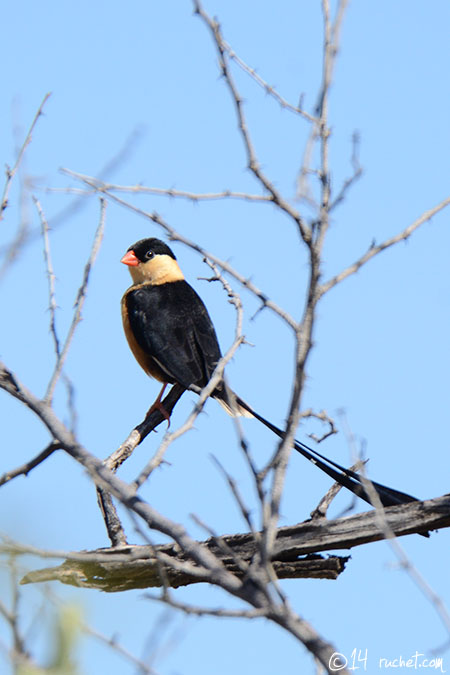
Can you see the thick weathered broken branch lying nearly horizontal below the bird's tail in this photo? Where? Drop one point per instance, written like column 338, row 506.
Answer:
column 128, row 567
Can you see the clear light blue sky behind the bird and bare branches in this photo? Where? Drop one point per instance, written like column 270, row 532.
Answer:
column 142, row 80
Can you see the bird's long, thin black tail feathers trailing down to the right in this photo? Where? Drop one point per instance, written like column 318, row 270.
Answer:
column 345, row 477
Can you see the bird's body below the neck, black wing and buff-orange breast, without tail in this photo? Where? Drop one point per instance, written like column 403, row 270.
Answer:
column 172, row 325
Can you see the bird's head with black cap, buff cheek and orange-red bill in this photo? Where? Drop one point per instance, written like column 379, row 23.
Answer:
column 152, row 261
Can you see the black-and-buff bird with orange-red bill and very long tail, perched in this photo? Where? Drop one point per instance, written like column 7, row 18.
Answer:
column 172, row 337
